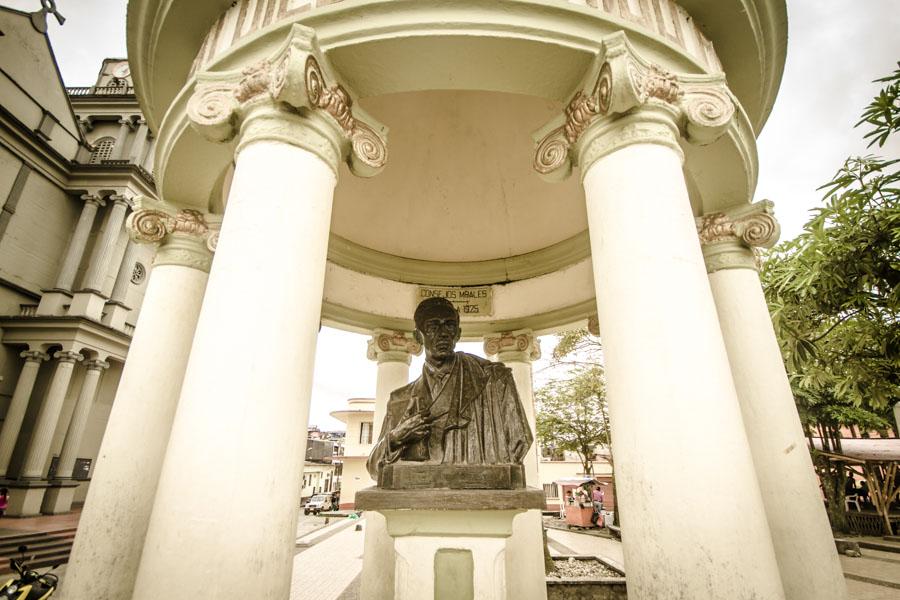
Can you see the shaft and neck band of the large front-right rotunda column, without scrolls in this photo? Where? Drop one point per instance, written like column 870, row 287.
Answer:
column 671, row 396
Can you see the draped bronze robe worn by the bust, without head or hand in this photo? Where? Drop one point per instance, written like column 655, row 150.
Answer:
column 477, row 417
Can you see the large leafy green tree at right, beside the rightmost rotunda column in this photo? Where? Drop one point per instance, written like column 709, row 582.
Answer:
column 834, row 295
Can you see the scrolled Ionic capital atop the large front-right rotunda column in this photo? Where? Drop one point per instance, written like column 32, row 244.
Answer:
column 625, row 99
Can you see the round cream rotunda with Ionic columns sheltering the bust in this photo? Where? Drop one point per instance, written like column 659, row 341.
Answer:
column 543, row 164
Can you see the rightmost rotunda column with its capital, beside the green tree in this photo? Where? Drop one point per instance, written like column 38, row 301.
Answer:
column 804, row 544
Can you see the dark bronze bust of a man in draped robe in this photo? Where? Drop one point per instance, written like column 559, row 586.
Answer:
column 459, row 425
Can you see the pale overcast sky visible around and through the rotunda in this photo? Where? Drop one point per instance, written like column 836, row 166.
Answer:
column 835, row 50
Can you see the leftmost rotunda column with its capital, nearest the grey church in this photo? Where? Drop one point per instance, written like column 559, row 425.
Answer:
column 113, row 524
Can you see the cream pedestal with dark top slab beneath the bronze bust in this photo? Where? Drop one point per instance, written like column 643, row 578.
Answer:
column 450, row 543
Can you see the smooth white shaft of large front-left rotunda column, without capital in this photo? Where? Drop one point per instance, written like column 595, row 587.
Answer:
column 250, row 423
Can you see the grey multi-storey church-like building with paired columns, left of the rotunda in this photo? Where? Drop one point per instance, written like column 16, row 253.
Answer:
column 71, row 281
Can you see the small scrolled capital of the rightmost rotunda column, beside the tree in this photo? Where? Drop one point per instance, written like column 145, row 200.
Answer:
column 729, row 239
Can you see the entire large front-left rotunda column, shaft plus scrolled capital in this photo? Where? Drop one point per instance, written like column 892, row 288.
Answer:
column 251, row 424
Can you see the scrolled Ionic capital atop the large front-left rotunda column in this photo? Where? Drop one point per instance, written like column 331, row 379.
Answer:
column 293, row 97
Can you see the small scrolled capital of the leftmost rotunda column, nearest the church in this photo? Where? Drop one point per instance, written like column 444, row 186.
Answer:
column 186, row 237
